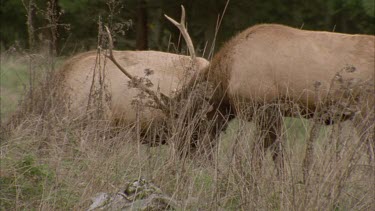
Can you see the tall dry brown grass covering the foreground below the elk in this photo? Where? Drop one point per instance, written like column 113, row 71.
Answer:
column 53, row 161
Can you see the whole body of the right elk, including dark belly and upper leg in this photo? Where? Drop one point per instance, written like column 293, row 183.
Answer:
column 283, row 71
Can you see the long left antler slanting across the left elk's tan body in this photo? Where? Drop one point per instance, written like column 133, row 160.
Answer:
column 158, row 101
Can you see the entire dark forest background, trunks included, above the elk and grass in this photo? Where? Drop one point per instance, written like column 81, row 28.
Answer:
column 140, row 24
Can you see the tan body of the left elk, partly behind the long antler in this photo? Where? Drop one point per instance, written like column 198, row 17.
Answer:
column 83, row 74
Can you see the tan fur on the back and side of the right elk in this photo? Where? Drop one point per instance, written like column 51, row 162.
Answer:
column 268, row 62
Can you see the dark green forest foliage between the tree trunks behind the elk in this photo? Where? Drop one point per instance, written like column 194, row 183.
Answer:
column 348, row 16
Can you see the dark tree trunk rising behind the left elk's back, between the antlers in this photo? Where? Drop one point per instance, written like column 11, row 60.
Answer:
column 141, row 27
